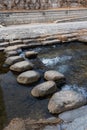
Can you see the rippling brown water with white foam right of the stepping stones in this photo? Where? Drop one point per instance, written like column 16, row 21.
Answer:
column 71, row 60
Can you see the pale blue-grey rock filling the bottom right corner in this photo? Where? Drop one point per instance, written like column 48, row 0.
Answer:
column 78, row 124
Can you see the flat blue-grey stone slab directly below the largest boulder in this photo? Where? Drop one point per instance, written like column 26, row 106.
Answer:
column 73, row 114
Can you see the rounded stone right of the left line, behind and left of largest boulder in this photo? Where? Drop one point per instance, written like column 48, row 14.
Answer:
column 53, row 75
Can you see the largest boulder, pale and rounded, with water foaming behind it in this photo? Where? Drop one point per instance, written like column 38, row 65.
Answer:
column 65, row 100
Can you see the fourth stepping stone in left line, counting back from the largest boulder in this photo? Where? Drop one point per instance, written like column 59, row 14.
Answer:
column 21, row 66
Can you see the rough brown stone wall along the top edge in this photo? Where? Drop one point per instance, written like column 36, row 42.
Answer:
column 39, row 4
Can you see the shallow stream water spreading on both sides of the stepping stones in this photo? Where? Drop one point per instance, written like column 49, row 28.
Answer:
column 70, row 59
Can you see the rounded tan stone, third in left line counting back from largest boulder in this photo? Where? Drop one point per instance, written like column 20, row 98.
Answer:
column 28, row 77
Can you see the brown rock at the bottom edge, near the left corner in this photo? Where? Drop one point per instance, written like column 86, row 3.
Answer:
column 16, row 124
